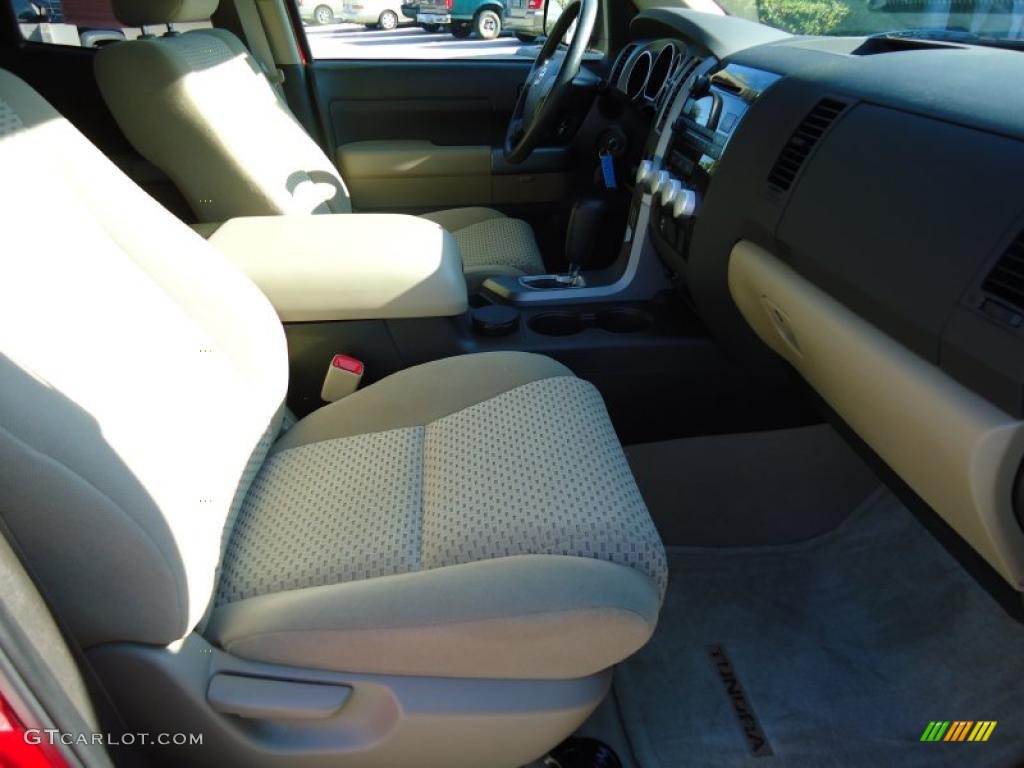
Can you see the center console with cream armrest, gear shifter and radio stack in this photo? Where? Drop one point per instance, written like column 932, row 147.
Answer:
column 389, row 290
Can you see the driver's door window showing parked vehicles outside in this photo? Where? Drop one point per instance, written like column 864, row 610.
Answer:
column 426, row 29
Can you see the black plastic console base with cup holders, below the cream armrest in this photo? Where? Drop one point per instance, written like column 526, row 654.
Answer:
column 662, row 376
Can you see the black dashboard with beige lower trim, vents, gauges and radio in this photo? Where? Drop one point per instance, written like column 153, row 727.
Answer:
column 850, row 209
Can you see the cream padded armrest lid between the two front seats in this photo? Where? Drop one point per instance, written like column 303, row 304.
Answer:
column 349, row 267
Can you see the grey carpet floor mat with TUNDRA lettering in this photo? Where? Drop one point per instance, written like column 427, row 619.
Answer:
column 845, row 648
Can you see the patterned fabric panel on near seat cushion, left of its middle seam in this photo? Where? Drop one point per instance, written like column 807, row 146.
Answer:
column 329, row 513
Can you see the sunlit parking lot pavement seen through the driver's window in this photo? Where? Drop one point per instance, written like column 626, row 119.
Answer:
column 356, row 41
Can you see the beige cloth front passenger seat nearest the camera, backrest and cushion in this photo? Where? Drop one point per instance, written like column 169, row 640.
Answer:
column 472, row 518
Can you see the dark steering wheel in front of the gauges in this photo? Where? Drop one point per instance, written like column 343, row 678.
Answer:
column 549, row 81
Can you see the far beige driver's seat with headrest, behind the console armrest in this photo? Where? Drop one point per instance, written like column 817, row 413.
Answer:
column 198, row 106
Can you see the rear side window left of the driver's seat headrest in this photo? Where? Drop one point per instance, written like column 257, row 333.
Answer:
column 78, row 23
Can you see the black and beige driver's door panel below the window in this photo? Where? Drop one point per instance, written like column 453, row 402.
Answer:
column 420, row 135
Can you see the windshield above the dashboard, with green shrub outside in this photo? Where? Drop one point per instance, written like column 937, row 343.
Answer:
column 985, row 22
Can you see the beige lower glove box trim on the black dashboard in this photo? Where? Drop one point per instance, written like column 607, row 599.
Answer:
column 957, row 451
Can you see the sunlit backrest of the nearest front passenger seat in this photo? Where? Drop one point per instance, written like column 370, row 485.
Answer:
column 142, row 380
